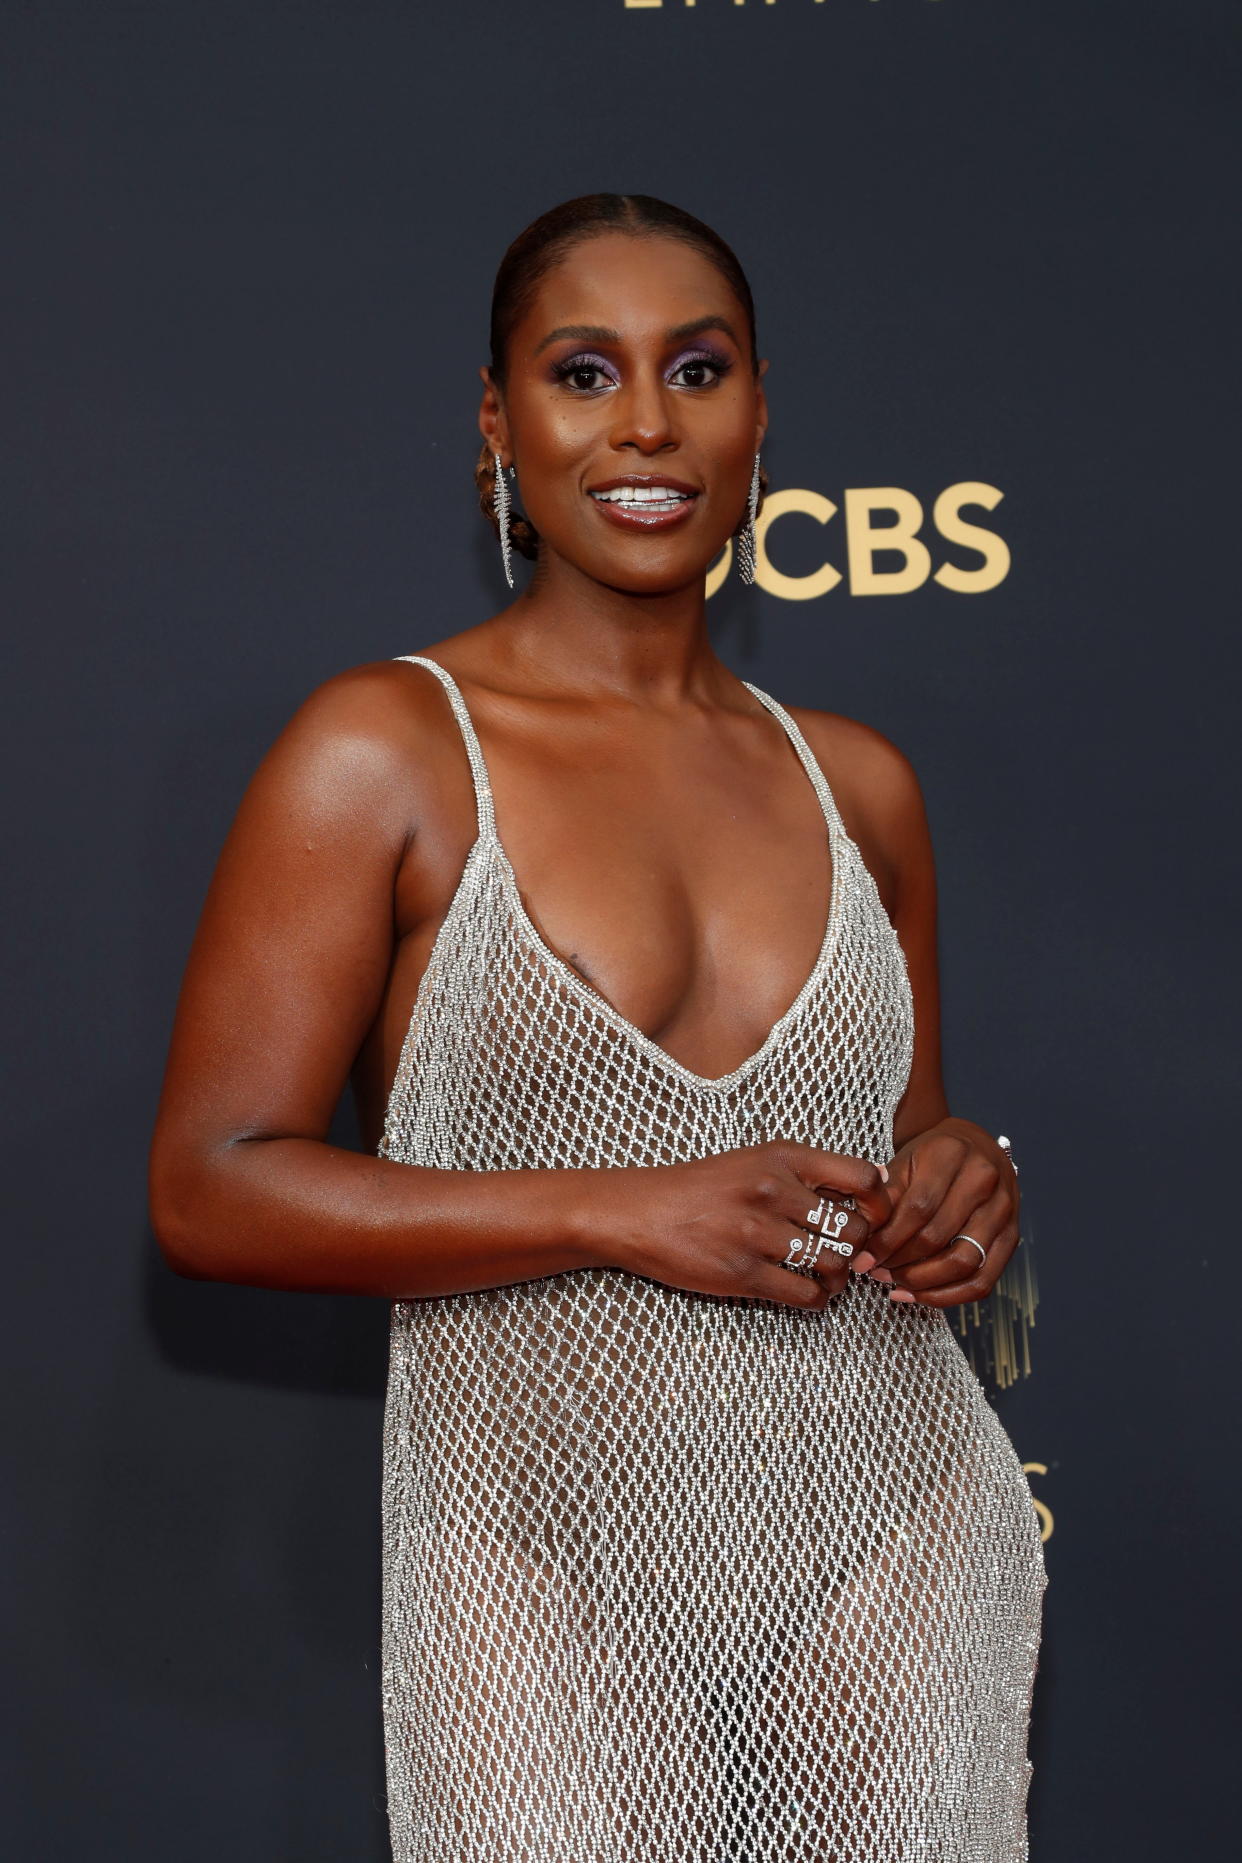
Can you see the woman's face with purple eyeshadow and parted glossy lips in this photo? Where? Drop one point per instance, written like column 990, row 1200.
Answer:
column 632, row 413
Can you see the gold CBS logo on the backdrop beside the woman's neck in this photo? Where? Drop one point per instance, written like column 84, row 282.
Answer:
column 865, row 539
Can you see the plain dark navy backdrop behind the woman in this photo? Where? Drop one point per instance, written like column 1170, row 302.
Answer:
column 249, row 265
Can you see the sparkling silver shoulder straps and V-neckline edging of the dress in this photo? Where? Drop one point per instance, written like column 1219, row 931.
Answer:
column 837, row 843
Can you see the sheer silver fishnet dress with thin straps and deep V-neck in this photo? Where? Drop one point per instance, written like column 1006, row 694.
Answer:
column 677, row 1577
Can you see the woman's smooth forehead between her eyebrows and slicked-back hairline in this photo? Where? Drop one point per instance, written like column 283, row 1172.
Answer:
column 638, row 286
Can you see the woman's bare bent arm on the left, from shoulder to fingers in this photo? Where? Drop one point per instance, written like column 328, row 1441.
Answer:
column 284, row 981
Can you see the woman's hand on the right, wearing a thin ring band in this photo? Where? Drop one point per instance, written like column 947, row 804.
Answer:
column 952, row 1180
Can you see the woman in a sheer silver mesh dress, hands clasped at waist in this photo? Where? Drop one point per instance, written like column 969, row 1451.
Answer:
column 699, row 1538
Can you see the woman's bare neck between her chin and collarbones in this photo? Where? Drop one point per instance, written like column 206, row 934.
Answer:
column 571, row 632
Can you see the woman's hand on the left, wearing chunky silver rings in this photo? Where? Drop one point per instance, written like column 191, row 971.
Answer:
column 723, row 1225
